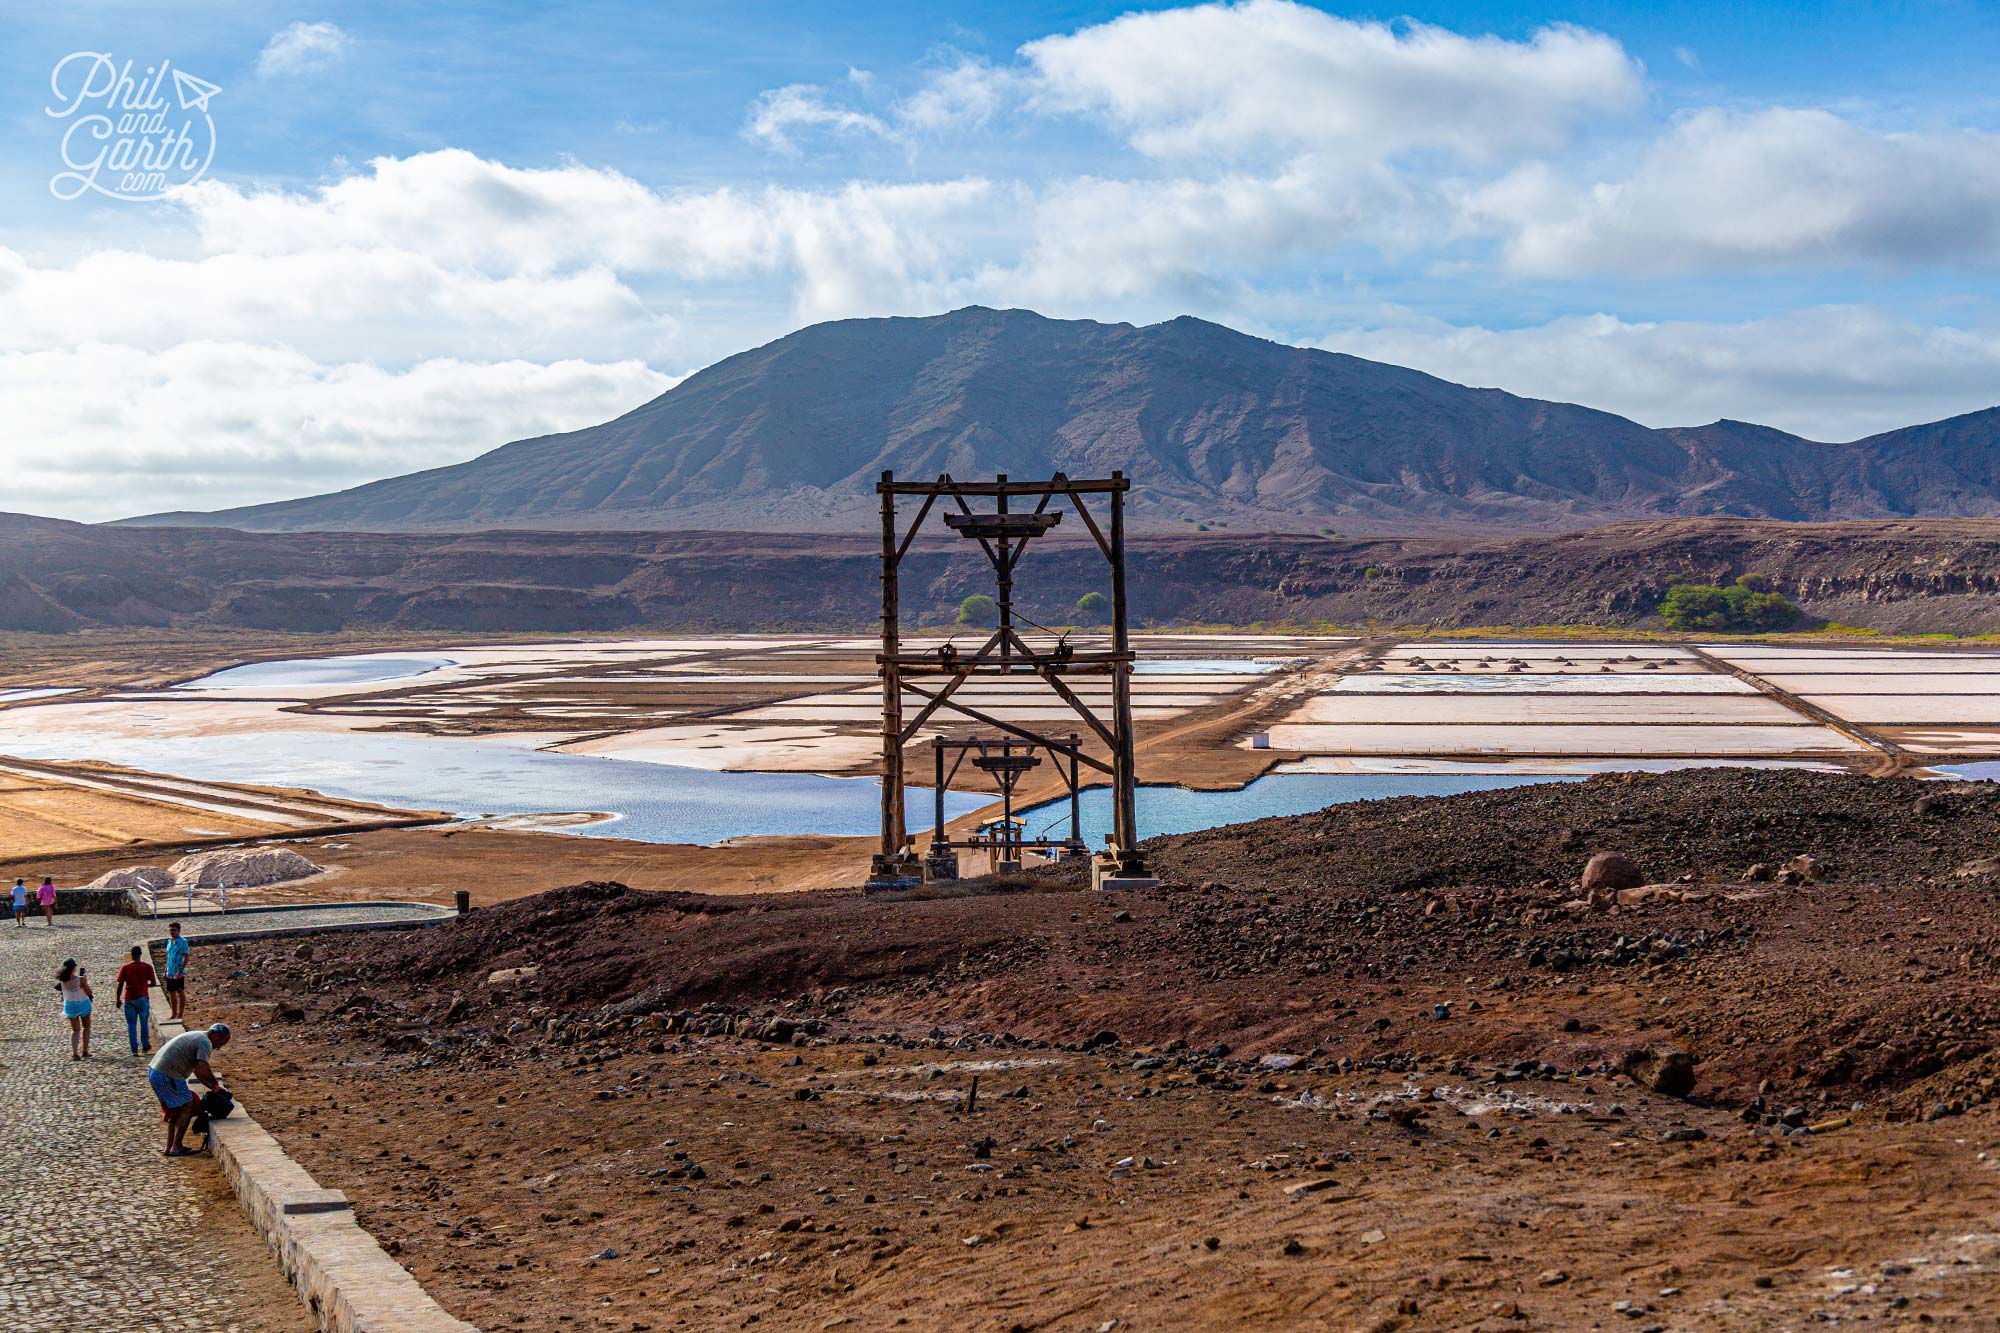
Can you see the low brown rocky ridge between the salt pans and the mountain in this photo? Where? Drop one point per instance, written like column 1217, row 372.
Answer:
column 1907, row 575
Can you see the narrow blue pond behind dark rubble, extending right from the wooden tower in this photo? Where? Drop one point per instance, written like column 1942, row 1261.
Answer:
column 1177, row 810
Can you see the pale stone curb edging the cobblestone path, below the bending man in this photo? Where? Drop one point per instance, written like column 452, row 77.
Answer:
column 341, row 1274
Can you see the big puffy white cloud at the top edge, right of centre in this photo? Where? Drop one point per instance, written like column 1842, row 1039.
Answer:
column 1275, row 77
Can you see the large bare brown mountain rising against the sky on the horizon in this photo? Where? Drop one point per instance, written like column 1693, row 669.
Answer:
column 1211, row 425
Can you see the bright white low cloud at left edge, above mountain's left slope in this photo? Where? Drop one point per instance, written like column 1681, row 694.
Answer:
column 105, row 431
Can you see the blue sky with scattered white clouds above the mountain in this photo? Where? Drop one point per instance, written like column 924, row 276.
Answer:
column 393, row 235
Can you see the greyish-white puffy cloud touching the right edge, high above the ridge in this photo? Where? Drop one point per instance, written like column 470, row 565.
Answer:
column 1769, row 189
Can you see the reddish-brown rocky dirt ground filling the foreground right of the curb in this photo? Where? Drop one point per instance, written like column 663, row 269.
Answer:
column 1323, row 1100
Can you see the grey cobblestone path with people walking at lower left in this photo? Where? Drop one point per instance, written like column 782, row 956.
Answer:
column 99, row 1234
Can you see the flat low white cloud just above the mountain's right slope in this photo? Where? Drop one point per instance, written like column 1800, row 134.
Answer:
column 1833, row 373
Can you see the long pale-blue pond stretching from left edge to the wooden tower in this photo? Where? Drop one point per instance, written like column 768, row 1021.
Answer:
column 651, row 804
